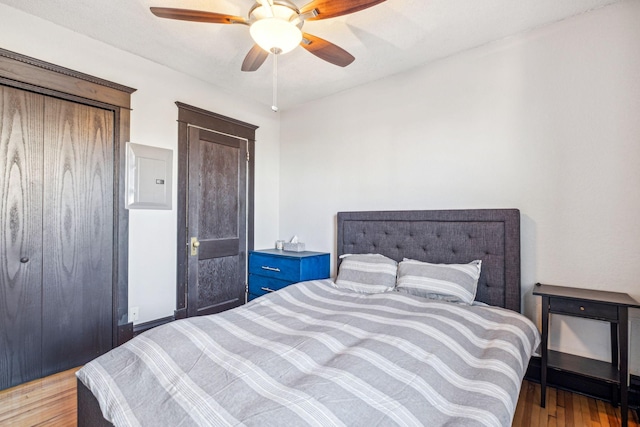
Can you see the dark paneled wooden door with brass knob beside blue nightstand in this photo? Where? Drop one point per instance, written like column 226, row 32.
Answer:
column 217, row 222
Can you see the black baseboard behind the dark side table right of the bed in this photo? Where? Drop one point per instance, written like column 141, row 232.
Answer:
column 582, row 385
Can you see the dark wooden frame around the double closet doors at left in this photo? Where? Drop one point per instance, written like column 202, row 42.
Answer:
column 23, row 72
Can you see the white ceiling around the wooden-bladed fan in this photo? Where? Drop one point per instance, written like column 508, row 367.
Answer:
column 386, row 39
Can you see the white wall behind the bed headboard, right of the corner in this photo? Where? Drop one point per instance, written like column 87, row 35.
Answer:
column 547, row 122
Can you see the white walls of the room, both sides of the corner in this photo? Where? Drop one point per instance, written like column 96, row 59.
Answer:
column 547, row 122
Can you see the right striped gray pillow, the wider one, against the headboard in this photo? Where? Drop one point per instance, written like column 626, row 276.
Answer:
column 449, row 282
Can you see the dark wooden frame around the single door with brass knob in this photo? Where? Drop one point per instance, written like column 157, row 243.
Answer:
column 194, row 116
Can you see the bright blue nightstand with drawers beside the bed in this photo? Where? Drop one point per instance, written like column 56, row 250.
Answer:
column 273, row 269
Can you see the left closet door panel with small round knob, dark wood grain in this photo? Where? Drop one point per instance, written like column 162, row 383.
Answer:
column 21, row 135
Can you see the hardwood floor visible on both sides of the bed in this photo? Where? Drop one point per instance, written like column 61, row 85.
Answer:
column 51, row 401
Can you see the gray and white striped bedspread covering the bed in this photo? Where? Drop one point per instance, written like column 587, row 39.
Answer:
column 312, row 354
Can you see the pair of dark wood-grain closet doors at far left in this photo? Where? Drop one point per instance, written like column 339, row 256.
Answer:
column 56, row 234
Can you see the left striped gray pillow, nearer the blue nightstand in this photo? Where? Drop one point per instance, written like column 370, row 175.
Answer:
column 367, row 273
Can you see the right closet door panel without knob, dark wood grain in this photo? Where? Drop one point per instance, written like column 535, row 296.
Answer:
column 77, row 234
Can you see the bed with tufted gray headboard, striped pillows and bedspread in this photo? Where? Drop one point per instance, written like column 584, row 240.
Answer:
column 326, row 353
